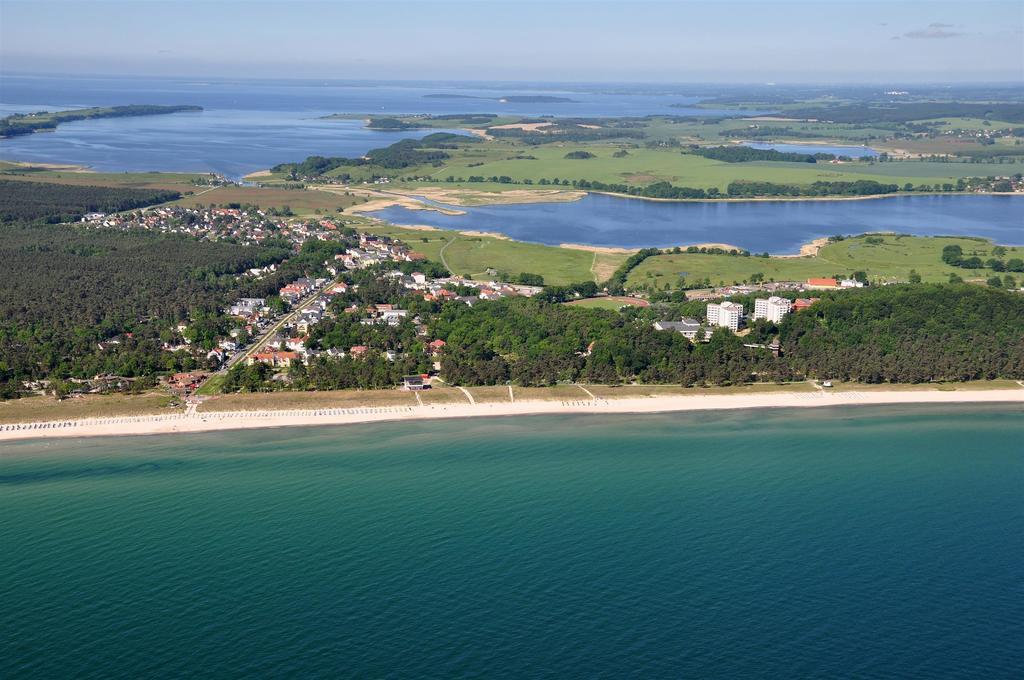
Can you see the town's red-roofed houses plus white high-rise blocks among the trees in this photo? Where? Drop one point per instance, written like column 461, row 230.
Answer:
column 275, row 333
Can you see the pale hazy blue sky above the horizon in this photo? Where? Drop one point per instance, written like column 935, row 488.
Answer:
column 685, row 41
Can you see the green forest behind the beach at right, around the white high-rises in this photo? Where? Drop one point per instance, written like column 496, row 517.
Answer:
column 911, row 333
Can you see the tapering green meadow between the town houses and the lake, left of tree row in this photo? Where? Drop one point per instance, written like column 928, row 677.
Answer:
column 472, row 256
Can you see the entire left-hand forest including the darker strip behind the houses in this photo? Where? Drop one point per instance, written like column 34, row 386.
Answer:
column 80, row 303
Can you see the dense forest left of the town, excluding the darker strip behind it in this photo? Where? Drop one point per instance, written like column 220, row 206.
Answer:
column 78, row 304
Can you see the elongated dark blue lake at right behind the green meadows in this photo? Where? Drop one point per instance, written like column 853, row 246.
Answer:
column 776, row 227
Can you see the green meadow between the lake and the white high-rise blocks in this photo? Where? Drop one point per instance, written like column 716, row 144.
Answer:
column 890, row 261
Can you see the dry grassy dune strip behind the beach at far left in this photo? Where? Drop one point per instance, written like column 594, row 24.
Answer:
column 33, row 409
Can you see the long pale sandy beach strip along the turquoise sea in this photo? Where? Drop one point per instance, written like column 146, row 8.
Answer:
column 229, row 420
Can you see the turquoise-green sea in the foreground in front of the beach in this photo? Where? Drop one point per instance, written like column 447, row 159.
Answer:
column 862, row 542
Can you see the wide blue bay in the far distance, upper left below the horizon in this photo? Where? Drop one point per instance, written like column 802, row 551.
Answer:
column 250, row 125
